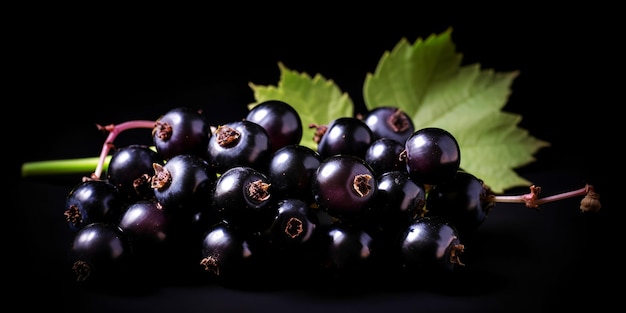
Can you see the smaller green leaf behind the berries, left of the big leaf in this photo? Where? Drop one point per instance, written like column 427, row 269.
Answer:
column 317, row 100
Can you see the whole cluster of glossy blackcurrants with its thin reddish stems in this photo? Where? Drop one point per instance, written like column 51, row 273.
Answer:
column 245, row 200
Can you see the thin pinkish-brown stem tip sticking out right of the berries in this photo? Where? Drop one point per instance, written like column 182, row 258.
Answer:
column 590, row 202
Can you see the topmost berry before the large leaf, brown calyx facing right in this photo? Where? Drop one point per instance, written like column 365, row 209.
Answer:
column 389, row 122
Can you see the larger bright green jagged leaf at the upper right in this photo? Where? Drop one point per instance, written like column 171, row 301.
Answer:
column 427, row 81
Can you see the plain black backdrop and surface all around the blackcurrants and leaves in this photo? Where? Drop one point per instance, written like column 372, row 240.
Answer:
column 80, row 70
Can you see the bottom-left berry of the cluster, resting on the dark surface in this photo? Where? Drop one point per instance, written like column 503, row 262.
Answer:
column 100, row 252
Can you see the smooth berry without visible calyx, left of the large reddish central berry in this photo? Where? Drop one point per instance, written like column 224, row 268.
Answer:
column 291, row 170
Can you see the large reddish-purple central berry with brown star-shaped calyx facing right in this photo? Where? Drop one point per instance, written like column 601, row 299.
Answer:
column 344, row 186
